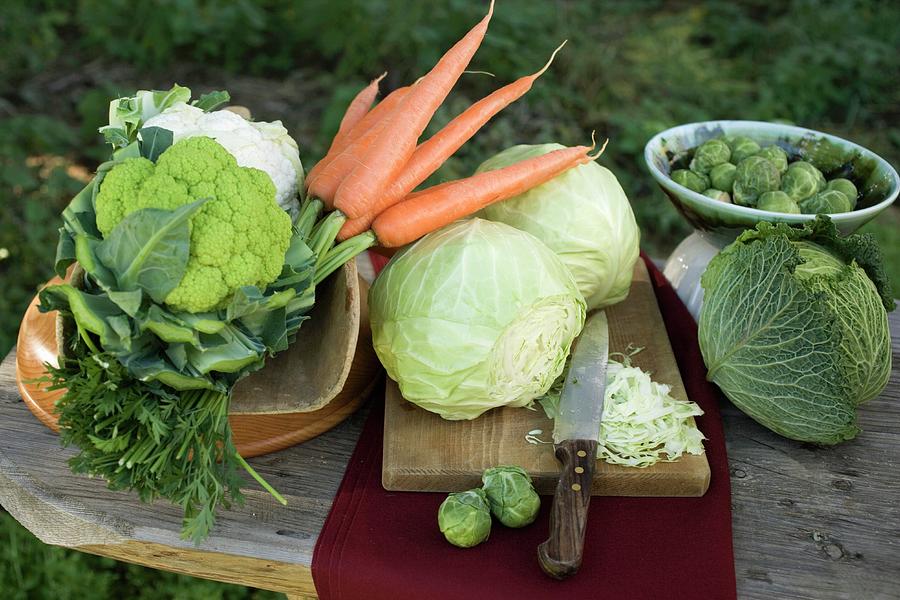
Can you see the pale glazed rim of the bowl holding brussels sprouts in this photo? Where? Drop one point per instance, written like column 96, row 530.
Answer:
column 755, row 213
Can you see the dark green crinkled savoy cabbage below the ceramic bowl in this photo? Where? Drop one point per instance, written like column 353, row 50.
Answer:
column 793, row 328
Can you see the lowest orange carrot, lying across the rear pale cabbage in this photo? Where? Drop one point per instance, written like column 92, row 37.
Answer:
column 435, row 207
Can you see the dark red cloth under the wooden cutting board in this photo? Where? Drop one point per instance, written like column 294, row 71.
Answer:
column 377, row 544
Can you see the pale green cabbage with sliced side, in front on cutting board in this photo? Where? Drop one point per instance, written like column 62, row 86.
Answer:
column 474, row 316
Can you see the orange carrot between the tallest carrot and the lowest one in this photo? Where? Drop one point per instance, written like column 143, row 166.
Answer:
column 430, row 155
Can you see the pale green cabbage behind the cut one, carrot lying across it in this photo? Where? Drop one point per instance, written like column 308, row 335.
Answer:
column 582, row 215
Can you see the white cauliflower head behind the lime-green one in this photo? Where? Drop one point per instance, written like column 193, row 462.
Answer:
column 261, row 145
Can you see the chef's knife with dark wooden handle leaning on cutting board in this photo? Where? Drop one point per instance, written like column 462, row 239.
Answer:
column 575, row 435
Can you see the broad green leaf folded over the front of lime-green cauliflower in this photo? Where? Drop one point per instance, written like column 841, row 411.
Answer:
column 149, row 249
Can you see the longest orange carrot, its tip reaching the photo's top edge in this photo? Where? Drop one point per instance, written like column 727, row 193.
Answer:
column 383, row 161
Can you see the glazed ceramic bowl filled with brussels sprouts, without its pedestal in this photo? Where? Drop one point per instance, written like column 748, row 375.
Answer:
column 726, row 176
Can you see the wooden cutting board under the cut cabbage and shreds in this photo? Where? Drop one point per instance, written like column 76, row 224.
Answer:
column 423, row 452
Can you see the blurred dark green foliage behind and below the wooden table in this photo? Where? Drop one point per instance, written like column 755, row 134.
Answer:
column 630, row 69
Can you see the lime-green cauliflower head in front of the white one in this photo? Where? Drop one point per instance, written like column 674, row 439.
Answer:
column 239, row 237
